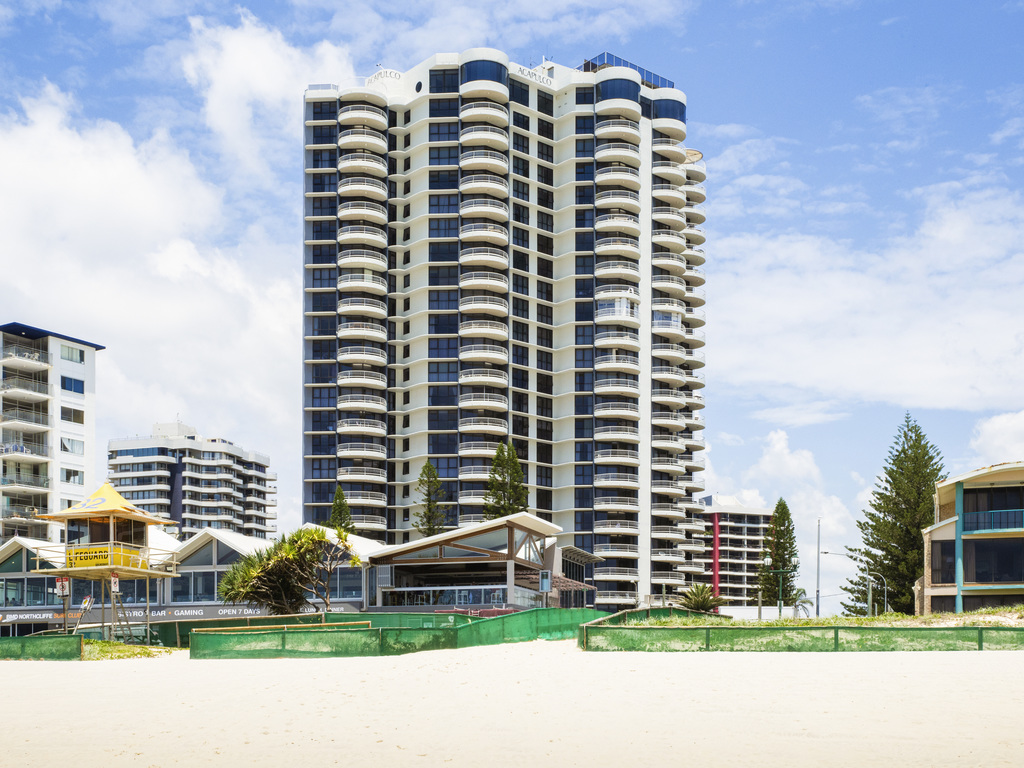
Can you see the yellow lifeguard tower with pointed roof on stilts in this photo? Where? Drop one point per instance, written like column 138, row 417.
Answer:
column 107, row 538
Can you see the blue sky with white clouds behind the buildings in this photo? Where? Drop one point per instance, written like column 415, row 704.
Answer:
column 865, row 215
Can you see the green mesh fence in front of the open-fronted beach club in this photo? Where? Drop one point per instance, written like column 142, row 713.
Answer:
column 392, row 634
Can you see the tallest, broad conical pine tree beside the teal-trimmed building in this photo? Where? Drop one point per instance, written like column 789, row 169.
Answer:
column 902, row 505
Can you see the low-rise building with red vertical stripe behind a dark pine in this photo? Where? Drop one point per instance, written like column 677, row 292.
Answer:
column 736, row 536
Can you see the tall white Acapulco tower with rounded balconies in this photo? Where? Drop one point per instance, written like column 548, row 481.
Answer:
column 497, row 252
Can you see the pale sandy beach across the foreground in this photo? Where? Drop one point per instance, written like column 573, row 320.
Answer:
column 531, row 704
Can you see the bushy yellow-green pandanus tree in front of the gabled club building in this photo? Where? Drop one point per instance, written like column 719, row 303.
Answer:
column 285, row 577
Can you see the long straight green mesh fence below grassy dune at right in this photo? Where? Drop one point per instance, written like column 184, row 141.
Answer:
column 604, row 636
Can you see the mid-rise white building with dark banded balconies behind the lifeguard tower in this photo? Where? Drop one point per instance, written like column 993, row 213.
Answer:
column 196, row 483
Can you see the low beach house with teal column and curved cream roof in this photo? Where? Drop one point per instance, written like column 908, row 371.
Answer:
column 974, row 553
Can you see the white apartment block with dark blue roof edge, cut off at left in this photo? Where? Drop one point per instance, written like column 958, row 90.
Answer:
column 48, row 418
